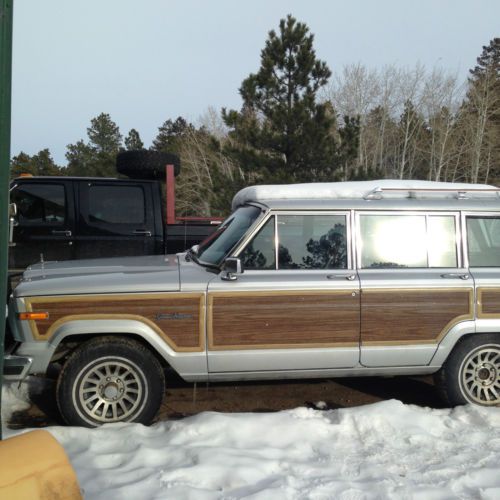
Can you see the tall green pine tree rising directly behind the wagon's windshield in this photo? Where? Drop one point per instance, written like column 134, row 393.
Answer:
column 282, row 132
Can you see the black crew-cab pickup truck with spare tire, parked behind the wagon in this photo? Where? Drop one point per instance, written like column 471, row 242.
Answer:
column 65, row 218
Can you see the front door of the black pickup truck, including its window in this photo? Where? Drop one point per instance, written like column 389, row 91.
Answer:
column 44, row 224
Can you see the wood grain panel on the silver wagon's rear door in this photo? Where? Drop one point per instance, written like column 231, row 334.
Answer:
column 412, row 316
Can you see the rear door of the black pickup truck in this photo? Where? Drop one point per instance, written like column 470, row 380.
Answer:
column 115, row 219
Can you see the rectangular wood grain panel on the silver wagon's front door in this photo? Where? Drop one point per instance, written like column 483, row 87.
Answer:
column 275, row 319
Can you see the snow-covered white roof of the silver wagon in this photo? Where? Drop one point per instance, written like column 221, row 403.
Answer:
column 347, row 190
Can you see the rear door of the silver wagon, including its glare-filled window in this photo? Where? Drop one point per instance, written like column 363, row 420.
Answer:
column 414, row 285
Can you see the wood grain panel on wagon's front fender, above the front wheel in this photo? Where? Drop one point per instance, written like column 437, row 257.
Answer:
column 178, row 318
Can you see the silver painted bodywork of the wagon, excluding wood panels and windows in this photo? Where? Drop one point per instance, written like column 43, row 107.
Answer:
column 177, row 274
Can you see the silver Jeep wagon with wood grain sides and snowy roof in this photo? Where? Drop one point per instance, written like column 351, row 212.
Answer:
column 319, row 280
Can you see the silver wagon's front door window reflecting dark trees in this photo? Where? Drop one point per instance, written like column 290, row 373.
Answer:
column 304, row 242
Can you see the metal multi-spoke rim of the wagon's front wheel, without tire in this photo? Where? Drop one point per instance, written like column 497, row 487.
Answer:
column 109, row 390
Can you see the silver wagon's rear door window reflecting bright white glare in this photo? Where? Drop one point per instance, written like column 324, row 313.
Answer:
column 408, row 241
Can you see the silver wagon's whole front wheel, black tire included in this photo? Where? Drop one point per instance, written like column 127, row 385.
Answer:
column 110, row 380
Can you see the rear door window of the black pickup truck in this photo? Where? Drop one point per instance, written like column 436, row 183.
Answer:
column 117, row 204
